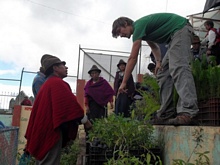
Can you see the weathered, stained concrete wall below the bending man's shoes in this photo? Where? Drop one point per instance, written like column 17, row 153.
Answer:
column 180, row 142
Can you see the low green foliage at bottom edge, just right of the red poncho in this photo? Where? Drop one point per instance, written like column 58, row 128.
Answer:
column 70, row 153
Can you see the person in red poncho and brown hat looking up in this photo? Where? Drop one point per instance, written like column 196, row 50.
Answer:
column 55, row 115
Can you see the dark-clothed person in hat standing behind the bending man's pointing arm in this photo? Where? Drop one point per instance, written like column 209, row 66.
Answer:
column 123, row 100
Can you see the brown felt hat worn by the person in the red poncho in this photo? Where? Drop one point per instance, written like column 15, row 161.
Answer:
column 50, row 60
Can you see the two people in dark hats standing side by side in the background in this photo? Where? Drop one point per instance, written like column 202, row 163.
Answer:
column 98, row 93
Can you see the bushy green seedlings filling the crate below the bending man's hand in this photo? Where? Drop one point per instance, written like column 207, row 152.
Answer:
column 116, row 131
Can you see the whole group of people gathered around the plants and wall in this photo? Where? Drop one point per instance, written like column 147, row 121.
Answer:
column 56, row 112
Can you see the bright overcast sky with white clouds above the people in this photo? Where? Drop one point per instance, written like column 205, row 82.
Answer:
column 31, row 28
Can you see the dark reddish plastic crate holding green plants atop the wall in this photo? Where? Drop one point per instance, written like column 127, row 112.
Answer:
column 209, row 112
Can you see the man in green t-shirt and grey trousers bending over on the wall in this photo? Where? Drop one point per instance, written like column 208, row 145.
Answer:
column 173, row 70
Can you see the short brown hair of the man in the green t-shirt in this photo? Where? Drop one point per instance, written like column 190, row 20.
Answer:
column 120, row 22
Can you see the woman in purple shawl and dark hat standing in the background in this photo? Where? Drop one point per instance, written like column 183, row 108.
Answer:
column 98, row 93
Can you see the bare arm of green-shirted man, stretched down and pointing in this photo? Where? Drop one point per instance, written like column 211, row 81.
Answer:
column 132, row 60
